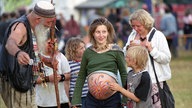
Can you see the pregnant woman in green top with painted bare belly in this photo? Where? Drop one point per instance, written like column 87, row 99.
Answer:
column 100, row 64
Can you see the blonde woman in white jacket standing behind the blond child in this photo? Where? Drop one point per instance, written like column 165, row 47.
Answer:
column 142, row 23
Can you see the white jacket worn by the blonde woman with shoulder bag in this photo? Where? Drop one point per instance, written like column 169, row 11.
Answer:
column 160, row 53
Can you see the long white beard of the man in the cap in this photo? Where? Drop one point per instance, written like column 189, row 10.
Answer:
column 42, row 34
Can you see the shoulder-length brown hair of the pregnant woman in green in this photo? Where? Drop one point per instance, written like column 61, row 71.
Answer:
column 101, row 21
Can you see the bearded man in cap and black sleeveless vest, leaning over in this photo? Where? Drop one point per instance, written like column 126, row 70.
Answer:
column 20, row 46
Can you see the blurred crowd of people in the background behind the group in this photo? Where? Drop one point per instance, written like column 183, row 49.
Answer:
column 120, row 20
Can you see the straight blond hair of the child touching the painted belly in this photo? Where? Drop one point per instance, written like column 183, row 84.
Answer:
column 139, row 54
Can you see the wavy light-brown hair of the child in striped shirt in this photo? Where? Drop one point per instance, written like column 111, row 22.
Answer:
column 71, row 47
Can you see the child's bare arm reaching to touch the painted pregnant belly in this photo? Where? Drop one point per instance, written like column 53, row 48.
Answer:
column 117, row 87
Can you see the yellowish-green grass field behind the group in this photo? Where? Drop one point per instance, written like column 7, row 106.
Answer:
column 180, row 84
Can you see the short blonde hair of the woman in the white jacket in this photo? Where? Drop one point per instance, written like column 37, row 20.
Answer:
column 143, row 17
